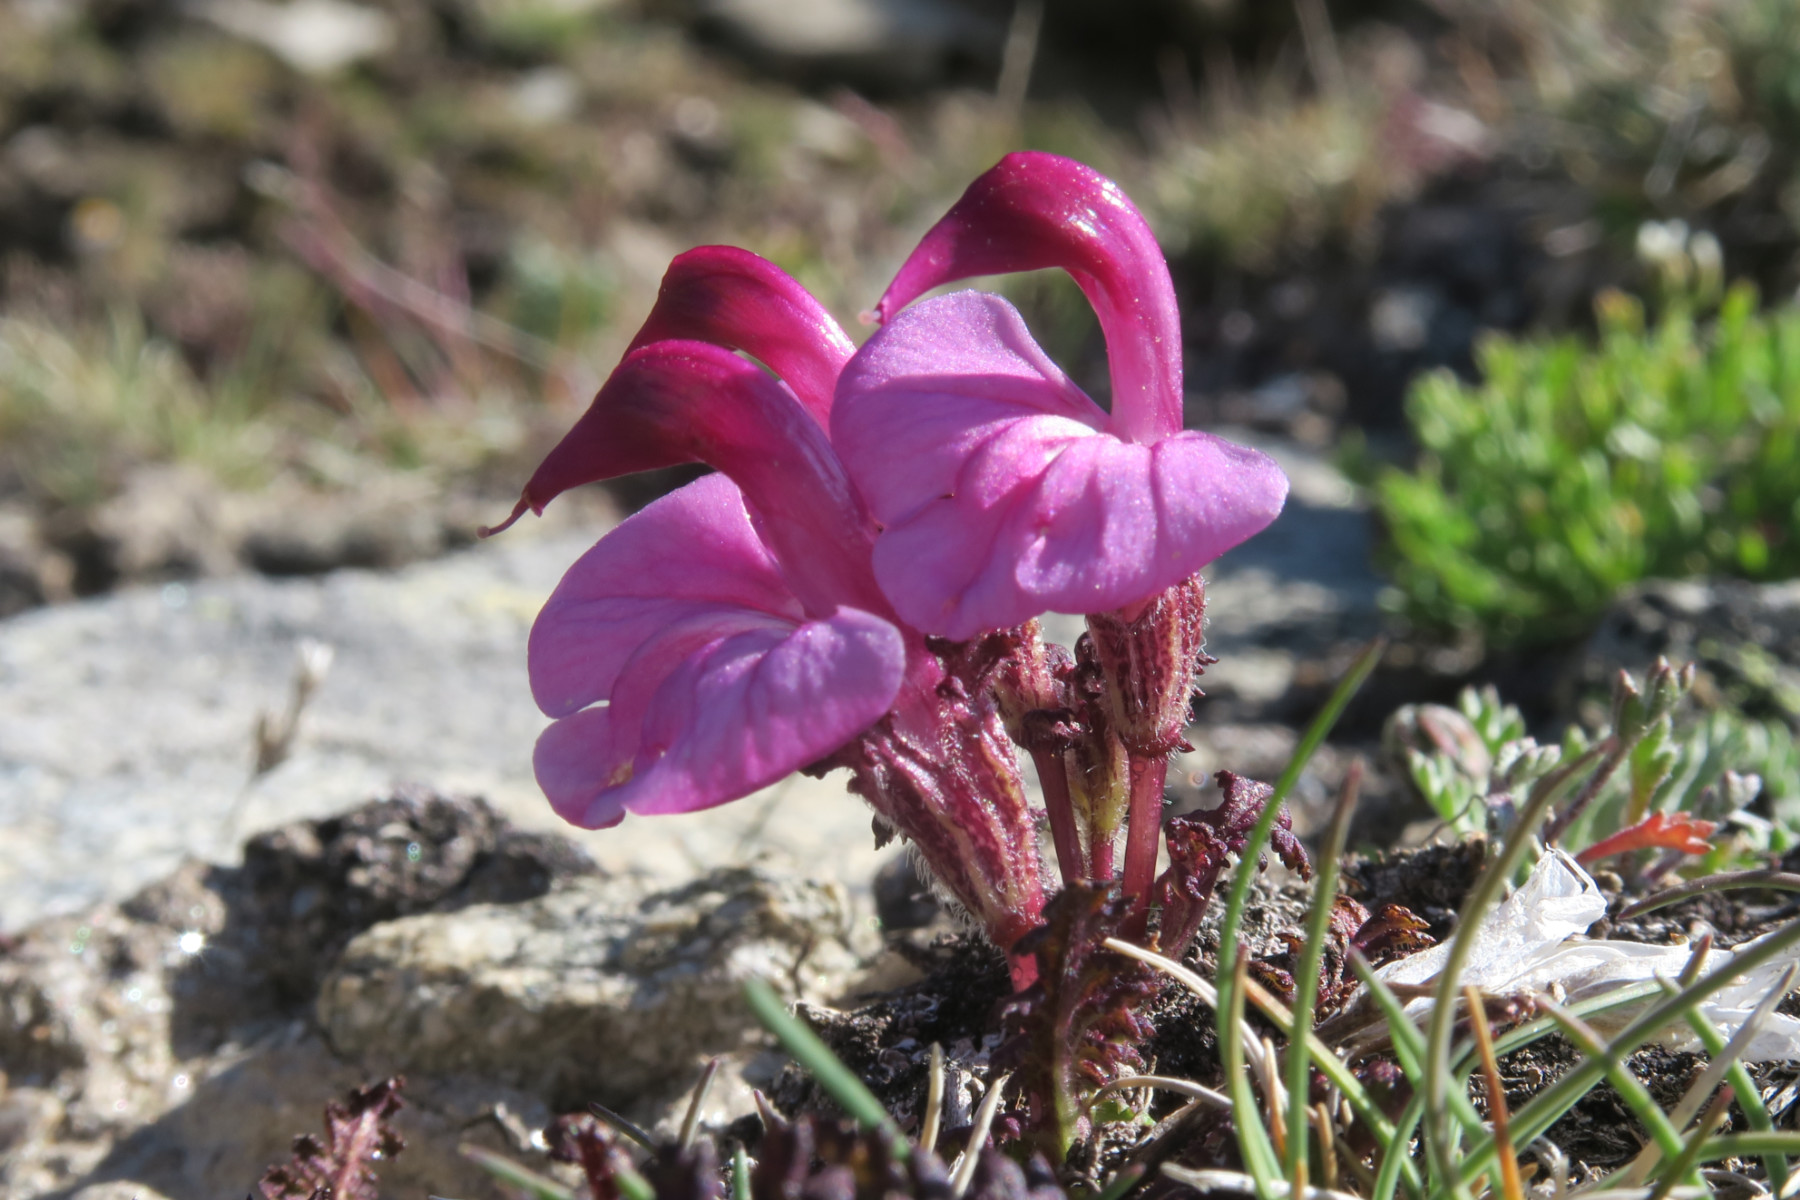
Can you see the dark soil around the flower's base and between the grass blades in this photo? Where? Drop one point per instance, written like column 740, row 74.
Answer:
column 962, row 999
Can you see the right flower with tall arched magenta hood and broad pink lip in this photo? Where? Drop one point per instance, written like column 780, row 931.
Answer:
column 1003, row 490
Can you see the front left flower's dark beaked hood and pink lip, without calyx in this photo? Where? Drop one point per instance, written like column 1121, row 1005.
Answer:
column 726, row 659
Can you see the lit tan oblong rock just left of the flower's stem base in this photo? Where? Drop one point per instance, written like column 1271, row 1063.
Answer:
column 593, row 992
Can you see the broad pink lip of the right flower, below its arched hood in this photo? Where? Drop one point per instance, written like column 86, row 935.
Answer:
column 1003, row 492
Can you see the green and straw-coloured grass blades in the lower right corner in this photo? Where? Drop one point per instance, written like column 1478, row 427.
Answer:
column 1441, row 1145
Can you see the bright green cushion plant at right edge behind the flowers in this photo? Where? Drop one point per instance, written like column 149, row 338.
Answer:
column 1572, row 470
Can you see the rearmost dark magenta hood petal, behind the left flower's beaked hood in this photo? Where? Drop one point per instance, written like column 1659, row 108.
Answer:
column 746, row 303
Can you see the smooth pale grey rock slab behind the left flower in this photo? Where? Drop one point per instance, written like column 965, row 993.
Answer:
column 127, row 726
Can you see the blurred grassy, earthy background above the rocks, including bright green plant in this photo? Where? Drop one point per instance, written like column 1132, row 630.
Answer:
column 300, row 283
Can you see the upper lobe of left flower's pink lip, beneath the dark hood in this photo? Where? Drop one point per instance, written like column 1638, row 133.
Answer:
column 633, row 589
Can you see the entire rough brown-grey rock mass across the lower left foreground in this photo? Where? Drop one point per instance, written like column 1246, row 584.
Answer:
column 170, row 1041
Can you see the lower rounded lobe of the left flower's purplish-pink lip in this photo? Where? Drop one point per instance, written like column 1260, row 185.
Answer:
column 733, row 717
